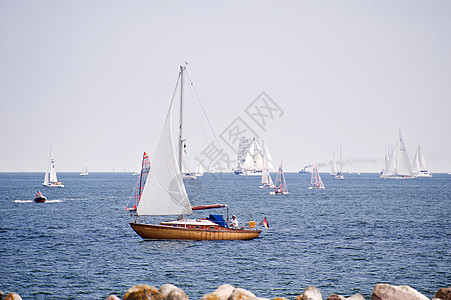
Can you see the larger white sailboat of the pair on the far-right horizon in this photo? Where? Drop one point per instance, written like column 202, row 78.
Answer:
column 398, row 166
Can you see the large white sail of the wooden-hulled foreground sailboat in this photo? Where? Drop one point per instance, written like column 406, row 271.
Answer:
column 164, row 192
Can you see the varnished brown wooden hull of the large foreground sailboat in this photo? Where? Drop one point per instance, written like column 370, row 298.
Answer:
column 162, row 232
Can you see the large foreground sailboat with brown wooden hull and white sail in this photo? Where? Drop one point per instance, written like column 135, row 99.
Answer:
column 164, row 194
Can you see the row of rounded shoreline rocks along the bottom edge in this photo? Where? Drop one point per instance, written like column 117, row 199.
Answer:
column 229, row 292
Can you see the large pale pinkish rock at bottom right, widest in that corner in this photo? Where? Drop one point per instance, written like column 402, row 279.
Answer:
column 391, row 292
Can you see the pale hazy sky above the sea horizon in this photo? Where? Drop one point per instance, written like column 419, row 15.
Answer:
column 94, row 79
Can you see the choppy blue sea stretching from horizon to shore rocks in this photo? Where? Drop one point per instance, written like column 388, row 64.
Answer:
column 358, row 232
